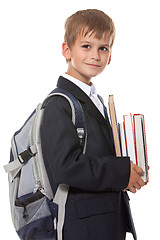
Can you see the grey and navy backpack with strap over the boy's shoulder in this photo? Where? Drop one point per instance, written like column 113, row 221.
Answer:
column 36, row 212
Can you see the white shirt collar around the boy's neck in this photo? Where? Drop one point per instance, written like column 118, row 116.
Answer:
column 86, row 88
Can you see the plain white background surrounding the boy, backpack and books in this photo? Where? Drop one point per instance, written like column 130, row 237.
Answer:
column 31, row 34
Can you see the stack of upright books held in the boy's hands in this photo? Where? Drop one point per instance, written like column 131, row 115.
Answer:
column 130, row 138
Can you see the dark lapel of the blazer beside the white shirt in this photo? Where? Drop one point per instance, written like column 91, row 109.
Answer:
column 84, row 99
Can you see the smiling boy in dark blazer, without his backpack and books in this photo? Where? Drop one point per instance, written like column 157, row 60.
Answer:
column 97, row 205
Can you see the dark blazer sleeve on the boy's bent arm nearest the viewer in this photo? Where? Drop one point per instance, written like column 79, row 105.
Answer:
column 64, row 161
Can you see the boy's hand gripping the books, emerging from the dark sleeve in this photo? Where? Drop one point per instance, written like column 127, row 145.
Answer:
column 135, row 181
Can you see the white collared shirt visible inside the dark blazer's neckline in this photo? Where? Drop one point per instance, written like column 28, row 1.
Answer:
column 89, row 90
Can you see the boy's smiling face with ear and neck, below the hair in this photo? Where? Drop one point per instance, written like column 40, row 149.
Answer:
column 87, row 57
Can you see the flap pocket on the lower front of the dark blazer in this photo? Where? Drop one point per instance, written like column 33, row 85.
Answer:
column 94, row 206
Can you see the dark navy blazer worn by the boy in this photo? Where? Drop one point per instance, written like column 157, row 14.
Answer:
column 96, row 208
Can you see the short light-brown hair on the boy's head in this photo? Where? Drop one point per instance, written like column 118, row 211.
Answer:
column 88, row 21
